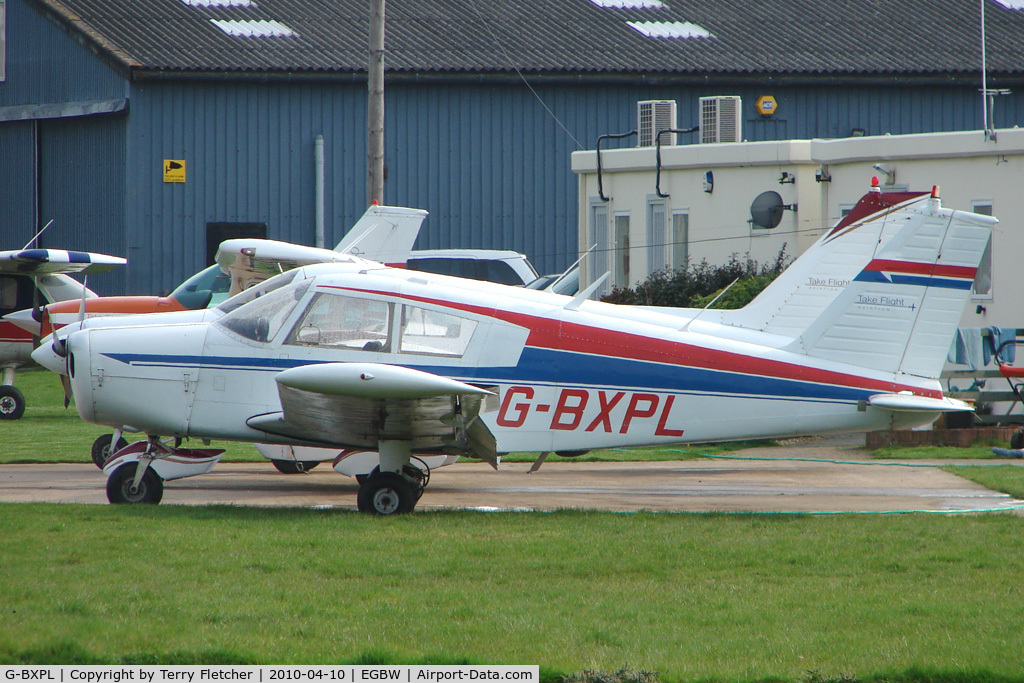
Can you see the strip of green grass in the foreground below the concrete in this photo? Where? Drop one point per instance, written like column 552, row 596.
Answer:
column 693, row 597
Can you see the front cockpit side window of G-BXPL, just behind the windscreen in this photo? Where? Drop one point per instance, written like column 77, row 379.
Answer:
column 339, row 321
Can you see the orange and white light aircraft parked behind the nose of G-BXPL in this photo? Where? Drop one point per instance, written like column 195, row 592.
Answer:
column 383, row 234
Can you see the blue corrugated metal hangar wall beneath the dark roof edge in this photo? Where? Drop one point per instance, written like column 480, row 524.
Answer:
column 491, row 163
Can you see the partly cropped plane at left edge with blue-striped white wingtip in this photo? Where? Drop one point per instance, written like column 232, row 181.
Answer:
column 31, row 279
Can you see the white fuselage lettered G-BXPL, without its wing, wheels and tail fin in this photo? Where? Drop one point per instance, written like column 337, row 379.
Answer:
column 566, row 379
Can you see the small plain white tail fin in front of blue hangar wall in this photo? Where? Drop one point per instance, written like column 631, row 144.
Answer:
column 385, row 234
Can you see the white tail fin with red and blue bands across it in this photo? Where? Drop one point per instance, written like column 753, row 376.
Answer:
column 902, row 311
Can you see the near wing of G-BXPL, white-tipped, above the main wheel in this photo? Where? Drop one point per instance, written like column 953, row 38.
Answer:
column 358, row 405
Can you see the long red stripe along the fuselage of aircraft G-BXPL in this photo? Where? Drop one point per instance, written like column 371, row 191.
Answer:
column 573, row 337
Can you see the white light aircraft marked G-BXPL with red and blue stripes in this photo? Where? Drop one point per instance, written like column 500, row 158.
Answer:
column 387, row 360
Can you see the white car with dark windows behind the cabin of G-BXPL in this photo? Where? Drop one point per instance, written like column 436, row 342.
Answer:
column 506, row 268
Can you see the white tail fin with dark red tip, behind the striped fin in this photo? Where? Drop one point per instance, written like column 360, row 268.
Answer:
column 795, row 300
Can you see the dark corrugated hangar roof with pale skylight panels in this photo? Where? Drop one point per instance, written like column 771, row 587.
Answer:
column 651, row 38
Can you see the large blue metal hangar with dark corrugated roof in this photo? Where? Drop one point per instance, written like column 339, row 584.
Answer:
column 153, row 130
